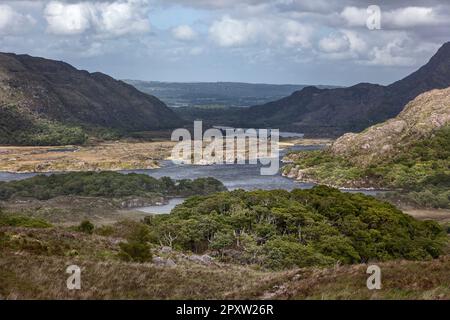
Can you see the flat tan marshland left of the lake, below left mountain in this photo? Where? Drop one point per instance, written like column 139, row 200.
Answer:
column 118, row 155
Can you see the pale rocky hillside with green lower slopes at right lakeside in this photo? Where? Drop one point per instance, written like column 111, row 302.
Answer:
column 409, row 153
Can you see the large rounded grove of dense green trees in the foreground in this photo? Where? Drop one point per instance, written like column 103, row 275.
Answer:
column 280, row 229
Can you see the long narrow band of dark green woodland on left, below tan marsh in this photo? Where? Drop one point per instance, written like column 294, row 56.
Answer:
column 105, row 184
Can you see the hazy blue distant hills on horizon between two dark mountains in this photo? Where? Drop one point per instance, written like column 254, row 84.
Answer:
column 215, row 94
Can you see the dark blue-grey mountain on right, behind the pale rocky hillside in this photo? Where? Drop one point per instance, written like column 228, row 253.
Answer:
column 332, row 112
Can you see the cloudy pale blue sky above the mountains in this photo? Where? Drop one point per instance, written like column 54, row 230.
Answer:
column 330, row 42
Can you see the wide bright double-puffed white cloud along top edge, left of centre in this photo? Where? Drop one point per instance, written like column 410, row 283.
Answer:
column 116, row 18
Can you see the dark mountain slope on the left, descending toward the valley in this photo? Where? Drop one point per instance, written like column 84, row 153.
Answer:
column 42, row 98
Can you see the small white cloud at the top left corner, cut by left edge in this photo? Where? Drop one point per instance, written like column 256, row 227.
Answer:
column 12, row 22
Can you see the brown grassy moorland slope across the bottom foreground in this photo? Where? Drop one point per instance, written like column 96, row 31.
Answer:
column 33, row 263
